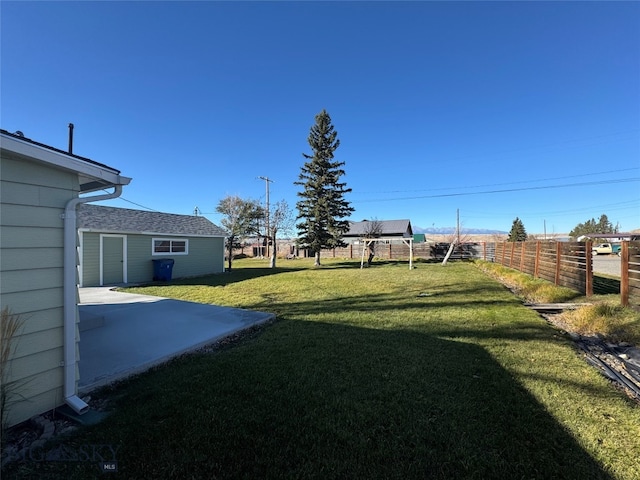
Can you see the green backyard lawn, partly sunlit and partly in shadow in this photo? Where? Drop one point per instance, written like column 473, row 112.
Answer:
column 438, row 372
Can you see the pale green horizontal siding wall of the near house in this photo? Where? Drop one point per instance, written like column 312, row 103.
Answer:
column 33, row 198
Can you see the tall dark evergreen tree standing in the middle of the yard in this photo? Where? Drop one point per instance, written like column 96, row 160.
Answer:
column 322, row 208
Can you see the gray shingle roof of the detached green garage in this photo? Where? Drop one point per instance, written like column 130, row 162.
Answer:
column 123, row 220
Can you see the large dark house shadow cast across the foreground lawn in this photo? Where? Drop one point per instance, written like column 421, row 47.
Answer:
column 317, row 400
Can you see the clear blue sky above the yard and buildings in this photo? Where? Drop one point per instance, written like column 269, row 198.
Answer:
column 498, row 109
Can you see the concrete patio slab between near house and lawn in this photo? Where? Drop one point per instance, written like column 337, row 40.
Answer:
column 122, row 333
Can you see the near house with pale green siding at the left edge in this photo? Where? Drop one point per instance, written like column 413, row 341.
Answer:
column 40, row 189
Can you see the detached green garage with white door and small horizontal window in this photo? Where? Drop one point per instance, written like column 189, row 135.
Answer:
column 119, row 245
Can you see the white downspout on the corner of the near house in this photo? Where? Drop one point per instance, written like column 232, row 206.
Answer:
column 70, row 290
